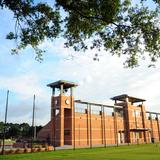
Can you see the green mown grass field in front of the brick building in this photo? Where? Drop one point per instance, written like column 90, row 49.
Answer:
column 133, row 152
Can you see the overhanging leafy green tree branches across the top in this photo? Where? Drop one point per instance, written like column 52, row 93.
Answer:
column 118, row 26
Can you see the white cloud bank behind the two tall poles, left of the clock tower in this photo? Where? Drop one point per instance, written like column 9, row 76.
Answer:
column 22, row 88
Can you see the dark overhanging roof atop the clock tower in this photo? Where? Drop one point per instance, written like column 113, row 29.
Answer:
column 66, row 84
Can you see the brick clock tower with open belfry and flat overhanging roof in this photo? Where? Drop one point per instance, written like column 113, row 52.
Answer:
column 62, row 112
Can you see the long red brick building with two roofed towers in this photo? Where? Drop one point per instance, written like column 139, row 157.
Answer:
column 79, row 123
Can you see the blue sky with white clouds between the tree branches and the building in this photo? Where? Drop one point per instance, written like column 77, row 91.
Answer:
column 98, row 81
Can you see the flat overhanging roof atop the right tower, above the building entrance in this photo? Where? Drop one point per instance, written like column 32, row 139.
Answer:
column 131, row 99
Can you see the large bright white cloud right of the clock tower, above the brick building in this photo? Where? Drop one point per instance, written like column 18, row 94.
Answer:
column 101, row 80
